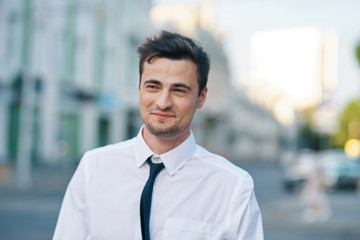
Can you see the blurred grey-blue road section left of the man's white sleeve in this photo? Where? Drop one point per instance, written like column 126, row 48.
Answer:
column 32, row 214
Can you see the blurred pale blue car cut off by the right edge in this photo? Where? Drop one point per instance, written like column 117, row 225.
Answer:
column 338, row 171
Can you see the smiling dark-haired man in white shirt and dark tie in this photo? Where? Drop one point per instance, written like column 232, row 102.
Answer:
column 160, row 184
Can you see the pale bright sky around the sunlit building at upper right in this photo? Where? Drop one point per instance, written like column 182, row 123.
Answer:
column 240, row 19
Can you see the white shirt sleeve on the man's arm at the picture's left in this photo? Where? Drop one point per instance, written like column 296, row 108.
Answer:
column 71, row 222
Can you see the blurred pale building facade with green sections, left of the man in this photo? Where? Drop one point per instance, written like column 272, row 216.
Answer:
column 69, row 76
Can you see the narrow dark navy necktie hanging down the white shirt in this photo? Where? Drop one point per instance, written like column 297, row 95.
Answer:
column 145, row 201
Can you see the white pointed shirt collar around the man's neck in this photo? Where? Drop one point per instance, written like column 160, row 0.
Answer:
column 173, row 160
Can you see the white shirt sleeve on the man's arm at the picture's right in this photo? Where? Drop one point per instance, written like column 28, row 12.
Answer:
column 244, row 221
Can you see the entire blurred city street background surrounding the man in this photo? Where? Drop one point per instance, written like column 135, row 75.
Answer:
column 283, row 102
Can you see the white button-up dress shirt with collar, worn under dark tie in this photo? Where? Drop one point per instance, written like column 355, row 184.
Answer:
column 198, row 195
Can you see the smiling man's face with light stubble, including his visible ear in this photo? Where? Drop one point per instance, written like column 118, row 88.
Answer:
column 169, row 96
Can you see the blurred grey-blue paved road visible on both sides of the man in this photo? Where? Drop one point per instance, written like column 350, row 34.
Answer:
column 32, row 214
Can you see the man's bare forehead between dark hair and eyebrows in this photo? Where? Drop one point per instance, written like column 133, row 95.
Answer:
column 167, row 69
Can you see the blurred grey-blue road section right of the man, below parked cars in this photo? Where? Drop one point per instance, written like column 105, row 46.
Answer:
column 283, row 213
